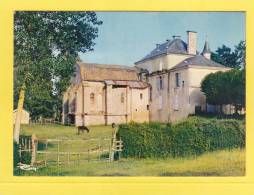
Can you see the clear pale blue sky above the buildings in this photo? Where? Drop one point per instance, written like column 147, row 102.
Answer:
column 126, row 37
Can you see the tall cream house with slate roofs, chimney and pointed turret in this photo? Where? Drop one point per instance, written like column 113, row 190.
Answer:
column 175, row 70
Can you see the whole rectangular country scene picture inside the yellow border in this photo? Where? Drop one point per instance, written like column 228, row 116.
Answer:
column 124, row 93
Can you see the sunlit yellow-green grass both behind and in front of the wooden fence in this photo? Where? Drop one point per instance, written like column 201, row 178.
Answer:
column 218, row 163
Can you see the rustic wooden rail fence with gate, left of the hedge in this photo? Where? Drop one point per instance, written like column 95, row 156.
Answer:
column 103, row 150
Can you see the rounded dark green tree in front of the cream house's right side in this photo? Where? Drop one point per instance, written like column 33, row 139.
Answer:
column 225, row 88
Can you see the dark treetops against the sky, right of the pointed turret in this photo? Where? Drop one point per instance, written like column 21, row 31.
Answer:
column 231, row 58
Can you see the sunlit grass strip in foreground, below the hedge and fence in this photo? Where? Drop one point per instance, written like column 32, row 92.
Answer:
column 220, row 163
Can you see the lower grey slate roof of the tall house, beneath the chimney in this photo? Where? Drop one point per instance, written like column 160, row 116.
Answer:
column 198, row 60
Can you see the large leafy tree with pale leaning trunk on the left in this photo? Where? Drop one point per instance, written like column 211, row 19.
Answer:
column 46, row 48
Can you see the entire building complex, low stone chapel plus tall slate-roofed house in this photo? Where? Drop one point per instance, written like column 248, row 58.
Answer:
column 163, row 86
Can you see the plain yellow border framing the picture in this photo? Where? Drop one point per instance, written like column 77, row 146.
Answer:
column 164, row 184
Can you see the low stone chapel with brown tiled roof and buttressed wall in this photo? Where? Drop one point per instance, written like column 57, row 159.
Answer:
column 102, row 94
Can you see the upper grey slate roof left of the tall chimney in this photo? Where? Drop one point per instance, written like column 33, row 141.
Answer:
column 175, row 46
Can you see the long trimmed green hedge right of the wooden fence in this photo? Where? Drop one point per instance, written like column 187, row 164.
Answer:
column 191, row 137
